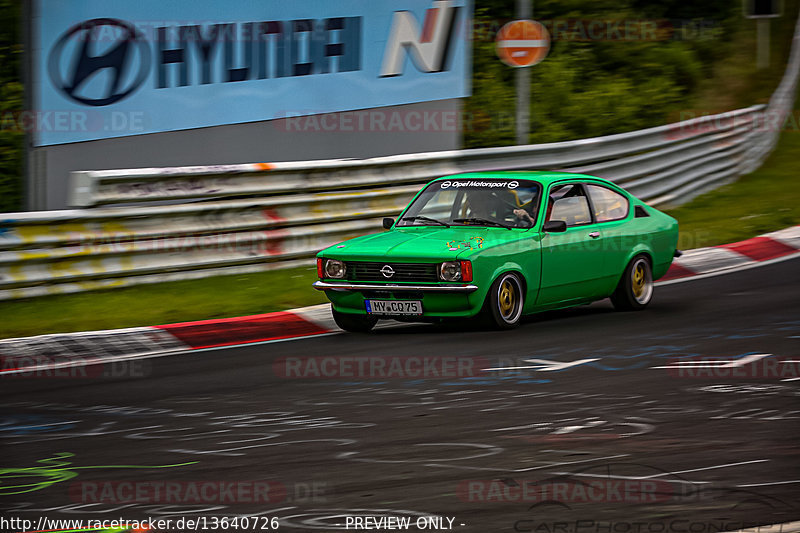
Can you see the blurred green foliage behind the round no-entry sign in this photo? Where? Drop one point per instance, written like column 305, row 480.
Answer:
column 600, row 87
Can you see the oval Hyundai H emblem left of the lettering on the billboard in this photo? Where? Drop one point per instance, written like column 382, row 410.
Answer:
column 76, row 57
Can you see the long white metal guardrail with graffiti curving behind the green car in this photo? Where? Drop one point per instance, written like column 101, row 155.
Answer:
column 253, row 217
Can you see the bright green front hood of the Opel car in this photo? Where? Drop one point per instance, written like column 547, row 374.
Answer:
column 423, row 243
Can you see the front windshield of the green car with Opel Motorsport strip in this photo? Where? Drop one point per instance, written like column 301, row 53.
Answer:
column 475, row 202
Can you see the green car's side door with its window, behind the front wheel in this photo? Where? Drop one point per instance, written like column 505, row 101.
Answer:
column 572, row 265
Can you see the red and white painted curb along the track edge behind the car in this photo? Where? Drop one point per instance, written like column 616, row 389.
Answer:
column 50, row 353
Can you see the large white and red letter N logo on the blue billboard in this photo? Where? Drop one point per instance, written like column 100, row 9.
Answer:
column 429, row 48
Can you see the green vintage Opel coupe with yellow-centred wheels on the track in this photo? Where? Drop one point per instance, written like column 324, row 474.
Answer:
column 500, row 245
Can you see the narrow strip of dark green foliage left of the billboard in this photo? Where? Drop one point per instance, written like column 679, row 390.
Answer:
column 11, row 103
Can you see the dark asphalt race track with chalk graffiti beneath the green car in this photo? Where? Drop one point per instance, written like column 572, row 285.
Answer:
column 717, row 444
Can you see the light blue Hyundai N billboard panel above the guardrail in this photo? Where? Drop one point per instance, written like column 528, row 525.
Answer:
column 111, row 68
